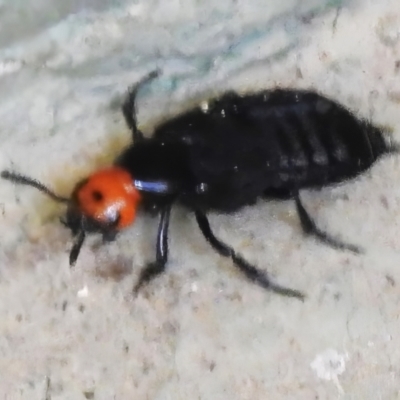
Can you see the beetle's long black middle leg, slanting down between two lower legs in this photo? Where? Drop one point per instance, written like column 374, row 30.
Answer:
column 250, row 271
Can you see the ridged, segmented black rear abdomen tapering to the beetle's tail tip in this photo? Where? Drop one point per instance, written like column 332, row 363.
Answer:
column 314, row 141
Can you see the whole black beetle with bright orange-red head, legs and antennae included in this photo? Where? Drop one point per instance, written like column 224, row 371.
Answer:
column 222, row 157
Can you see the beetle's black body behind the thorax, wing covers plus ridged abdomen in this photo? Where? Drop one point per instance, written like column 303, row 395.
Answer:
column 273, row 143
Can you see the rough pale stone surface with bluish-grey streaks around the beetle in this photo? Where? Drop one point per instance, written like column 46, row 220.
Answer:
column 200, row 331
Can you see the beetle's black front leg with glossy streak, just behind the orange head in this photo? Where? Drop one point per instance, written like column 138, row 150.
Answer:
column 157, row 267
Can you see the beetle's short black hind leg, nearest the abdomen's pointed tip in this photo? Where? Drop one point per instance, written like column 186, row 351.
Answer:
column 310, row 228
